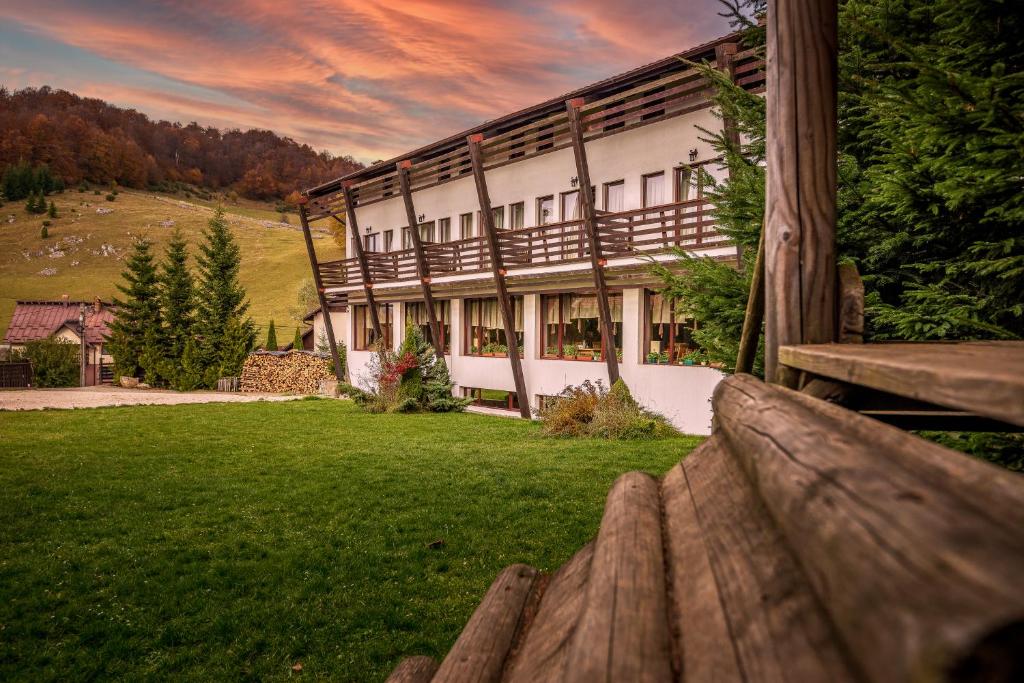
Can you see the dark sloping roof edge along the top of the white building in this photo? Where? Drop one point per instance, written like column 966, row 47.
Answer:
column 602, row 89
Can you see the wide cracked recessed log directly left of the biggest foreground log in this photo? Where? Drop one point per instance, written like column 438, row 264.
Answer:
column 778, row 629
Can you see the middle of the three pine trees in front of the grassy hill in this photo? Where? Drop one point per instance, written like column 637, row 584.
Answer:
column 178, row 298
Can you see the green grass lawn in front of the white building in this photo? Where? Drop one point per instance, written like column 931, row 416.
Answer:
column 233, row 541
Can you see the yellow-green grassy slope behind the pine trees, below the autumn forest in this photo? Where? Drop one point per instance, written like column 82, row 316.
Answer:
column 84, row 254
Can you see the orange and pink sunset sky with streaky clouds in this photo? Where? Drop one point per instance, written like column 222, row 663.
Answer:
column 358, row 77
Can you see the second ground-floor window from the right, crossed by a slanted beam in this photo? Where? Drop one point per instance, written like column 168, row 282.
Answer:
column 573, row 327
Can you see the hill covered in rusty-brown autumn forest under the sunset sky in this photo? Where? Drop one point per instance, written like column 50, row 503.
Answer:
column 83, row 139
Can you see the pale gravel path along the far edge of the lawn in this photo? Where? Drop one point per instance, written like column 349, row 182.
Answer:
column 35, row 400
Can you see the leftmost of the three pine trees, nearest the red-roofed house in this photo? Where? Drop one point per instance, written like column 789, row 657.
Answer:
column 138, row 319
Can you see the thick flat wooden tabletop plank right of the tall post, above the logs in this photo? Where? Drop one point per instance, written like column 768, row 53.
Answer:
column 985, row 378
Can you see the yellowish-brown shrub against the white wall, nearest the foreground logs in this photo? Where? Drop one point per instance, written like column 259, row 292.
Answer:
column 590, row 410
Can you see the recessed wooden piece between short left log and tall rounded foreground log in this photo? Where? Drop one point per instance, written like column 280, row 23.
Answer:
column 543, row 656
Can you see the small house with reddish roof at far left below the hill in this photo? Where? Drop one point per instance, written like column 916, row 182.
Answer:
column 40, row 320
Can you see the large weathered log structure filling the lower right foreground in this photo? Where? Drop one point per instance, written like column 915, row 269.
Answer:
column 801, row 542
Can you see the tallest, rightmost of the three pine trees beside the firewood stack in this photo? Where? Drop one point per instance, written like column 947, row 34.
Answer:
column 223, row 303
